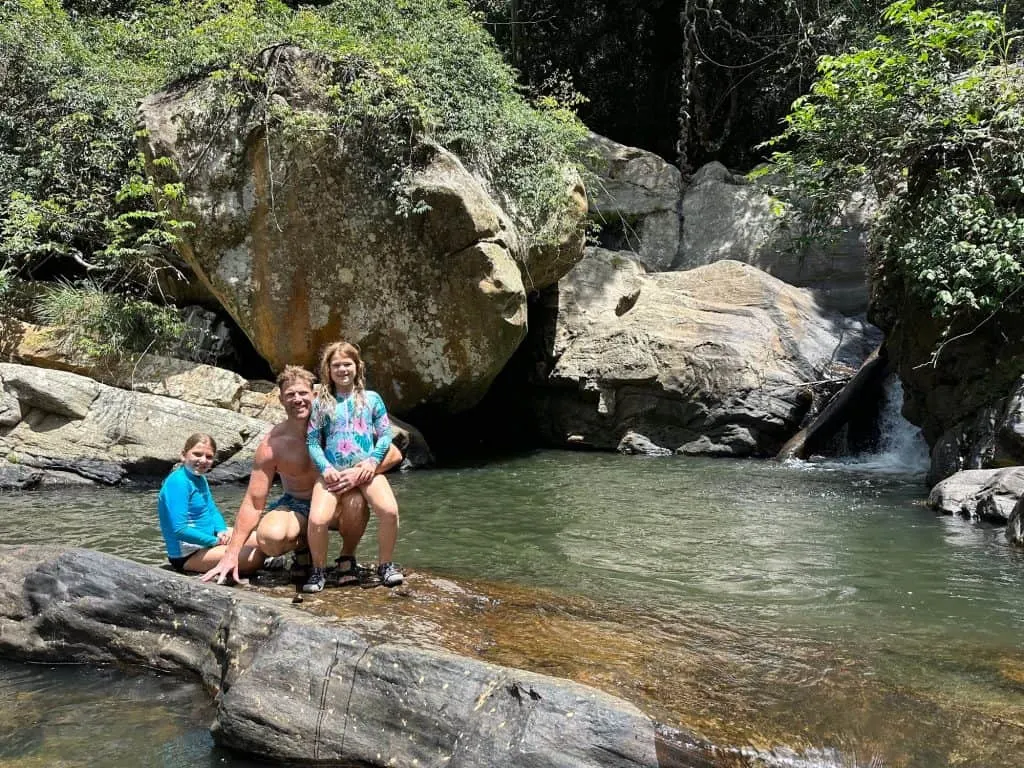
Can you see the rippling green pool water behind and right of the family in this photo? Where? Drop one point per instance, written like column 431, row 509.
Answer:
column 824, row 604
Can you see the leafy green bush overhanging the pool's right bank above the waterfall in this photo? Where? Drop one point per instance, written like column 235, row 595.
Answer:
column 931, row 117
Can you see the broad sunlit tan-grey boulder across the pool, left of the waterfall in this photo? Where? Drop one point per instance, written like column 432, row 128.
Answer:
column 718, row 361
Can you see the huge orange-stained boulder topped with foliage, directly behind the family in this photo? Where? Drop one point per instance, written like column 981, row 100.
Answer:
column 301, row 239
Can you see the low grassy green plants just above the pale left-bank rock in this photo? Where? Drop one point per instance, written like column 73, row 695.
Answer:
column 105, row 326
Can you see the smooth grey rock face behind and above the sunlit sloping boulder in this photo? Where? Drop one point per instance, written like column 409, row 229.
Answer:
column 726, row 217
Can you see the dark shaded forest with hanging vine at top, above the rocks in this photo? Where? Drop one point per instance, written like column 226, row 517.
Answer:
column 728, row 69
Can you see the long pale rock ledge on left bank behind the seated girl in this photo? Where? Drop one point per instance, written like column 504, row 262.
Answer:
column 66, row 423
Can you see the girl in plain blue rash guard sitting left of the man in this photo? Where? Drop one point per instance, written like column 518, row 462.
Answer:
column 194, row 530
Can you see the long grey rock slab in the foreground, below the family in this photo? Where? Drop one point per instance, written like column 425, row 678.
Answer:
column 297, row 688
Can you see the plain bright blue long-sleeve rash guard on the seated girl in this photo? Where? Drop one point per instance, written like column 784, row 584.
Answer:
column 190, row 520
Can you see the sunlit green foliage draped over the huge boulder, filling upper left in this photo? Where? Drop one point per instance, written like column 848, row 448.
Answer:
column 74, row 191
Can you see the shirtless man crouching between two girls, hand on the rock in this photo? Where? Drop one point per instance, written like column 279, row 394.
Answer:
column 283, row 452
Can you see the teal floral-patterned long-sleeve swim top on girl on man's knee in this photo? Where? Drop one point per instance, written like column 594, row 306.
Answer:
column 358, row 430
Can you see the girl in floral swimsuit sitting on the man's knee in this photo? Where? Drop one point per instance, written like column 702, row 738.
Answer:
column 349, row 428
